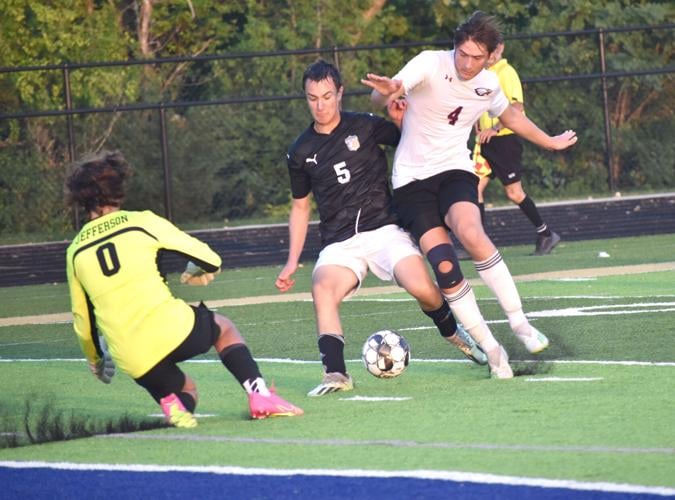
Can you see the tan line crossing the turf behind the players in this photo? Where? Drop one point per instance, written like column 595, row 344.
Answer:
column 306, row 296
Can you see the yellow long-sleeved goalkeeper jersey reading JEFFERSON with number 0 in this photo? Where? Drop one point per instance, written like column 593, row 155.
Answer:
column 117, row 289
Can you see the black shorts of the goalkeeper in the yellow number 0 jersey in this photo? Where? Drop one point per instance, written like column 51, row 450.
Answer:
column 165, row 377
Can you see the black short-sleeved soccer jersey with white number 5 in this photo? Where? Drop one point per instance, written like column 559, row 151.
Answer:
column 346, row 171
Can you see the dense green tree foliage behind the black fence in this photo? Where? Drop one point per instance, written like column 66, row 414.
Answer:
column 227, row 161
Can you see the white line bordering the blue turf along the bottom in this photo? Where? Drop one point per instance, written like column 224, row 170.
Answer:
column 436, row 475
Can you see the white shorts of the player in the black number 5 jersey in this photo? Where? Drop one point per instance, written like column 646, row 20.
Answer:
column 380, row 250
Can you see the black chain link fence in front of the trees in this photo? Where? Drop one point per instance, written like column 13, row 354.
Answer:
column 219, row 162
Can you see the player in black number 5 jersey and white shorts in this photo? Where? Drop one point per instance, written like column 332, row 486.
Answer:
column 338, row 159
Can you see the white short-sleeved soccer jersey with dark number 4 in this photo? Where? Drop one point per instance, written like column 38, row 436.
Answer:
column 442, row 110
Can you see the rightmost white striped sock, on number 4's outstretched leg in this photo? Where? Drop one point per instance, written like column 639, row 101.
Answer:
column 495, row 274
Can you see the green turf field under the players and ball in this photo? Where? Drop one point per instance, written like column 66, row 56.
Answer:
column 598, row 405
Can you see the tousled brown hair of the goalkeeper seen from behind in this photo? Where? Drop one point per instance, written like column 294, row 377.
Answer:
column 98, row 181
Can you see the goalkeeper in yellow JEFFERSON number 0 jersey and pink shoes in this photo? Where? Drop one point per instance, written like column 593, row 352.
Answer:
column 118, row 292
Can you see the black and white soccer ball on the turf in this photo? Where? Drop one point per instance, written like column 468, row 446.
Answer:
column 386, row 354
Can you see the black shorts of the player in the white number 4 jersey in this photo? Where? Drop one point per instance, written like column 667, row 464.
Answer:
column 422, row 205
